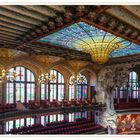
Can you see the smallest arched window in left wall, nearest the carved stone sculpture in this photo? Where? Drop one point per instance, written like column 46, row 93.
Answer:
column 81, row 89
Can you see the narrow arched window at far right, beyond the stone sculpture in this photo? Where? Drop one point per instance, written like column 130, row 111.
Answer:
column 133, row 85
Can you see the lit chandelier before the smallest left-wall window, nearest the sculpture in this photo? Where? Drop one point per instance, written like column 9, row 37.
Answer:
column 79, row 79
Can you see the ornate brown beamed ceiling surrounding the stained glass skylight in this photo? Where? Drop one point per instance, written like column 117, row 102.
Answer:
column 22, row 25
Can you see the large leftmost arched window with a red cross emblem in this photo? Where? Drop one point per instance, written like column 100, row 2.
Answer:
column 22, row 88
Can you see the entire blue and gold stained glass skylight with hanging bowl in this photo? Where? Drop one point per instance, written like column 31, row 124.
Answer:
column 100, row 44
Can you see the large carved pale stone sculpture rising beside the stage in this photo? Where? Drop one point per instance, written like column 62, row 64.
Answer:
column 108, row 79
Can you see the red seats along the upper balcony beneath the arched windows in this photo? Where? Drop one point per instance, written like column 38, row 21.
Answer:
column 47, row 104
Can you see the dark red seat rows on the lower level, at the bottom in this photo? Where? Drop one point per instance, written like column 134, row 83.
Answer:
column 80, row 126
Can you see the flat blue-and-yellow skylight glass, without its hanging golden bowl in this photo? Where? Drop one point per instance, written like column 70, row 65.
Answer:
column 80, row 35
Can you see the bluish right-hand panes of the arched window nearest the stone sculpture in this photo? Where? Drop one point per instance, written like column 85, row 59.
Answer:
column 82, row 90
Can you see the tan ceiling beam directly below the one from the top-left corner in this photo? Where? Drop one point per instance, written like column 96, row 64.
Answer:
column 19, row 17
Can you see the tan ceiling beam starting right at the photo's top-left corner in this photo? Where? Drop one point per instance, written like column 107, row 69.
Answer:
column 24, row 11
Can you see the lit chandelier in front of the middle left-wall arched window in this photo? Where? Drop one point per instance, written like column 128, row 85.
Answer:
column 45, row 78
